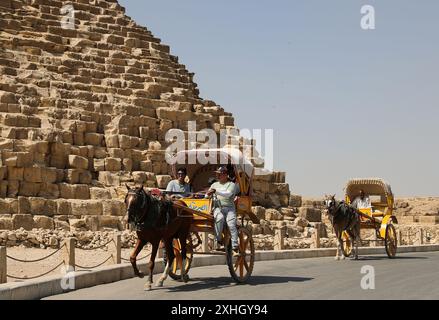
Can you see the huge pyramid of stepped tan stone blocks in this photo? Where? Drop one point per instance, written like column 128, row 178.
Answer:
column 85, row 109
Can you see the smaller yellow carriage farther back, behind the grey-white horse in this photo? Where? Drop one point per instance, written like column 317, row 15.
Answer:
column 378, row 217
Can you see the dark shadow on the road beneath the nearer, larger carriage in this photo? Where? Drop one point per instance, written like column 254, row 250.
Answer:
column 224, row 282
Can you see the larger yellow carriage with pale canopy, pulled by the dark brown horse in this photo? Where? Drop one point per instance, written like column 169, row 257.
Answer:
column 200, row 166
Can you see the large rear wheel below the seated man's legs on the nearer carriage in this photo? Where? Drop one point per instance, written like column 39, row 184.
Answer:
column 241, row 267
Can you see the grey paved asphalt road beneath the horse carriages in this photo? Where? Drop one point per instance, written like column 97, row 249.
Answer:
column 410, row 276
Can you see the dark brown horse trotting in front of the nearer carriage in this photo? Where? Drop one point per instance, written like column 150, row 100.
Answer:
column 156, row 219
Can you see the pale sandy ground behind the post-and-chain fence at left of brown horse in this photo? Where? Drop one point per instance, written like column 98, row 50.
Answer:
column 31, row 269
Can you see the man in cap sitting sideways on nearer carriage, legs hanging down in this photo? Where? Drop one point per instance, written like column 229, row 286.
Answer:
column 226, row 212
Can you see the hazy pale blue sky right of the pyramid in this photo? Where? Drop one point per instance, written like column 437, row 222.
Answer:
column 344, row 102
